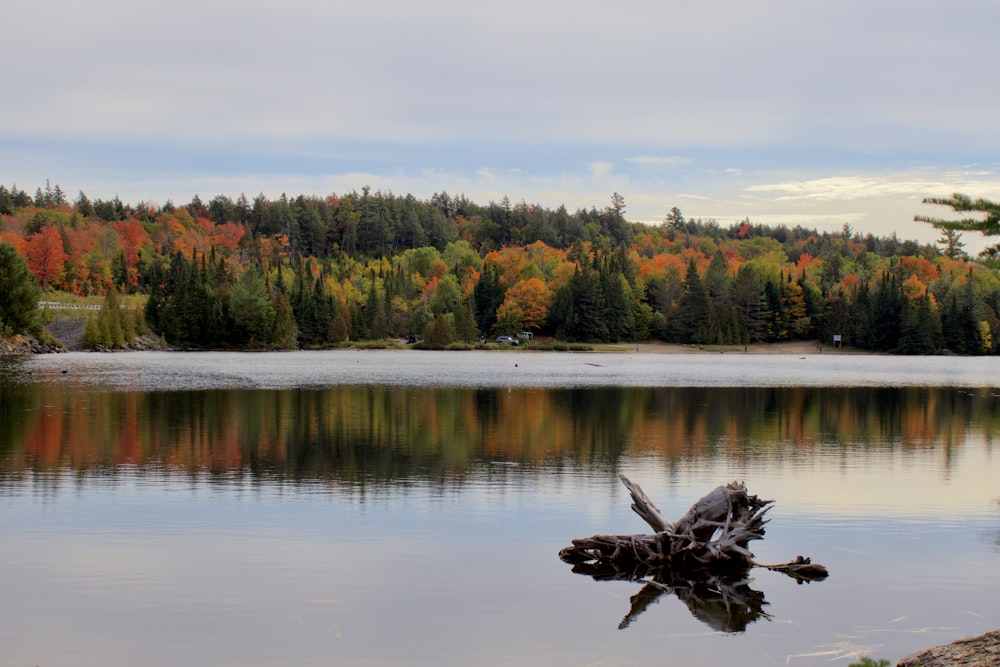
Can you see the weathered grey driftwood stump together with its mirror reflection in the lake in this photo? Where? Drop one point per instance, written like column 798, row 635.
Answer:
column 703, row 558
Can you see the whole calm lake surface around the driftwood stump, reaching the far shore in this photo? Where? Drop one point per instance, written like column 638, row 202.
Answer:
column 405, row 508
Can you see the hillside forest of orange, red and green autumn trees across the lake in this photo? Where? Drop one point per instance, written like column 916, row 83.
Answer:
column 309, row 272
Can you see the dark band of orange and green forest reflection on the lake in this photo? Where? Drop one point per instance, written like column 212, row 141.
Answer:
column 364, row 434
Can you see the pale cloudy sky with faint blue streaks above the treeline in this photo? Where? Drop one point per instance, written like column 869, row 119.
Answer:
column 794, row 112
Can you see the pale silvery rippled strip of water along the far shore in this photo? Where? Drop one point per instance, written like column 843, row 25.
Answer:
column 225, row 370
